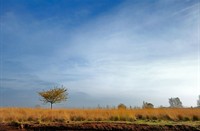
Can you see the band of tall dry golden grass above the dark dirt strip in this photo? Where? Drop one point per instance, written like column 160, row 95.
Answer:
column 64, row 115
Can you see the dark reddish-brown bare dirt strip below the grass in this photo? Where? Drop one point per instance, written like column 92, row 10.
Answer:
column 96, row 126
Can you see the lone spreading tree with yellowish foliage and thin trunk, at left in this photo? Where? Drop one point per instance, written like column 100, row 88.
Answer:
column 55, row 95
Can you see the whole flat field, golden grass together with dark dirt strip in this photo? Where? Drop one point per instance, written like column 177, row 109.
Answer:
column 100, row 119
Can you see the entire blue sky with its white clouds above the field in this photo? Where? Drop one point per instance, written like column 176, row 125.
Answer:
column 105, row 52
